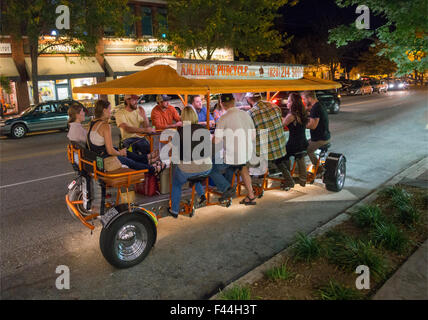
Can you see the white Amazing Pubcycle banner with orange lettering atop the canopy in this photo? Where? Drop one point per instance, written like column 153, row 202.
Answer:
column 207, row 70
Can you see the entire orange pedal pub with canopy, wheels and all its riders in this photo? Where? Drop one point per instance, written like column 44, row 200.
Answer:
column 129, row 222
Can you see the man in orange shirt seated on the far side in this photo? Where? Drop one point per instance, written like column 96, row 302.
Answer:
column 164, row 115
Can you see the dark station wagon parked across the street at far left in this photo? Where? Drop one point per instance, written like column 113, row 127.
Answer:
column 43, row 116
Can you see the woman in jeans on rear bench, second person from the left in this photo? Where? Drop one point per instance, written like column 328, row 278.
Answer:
column 100, row 141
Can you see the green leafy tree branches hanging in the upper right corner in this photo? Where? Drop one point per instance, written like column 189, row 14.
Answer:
column 404, row 35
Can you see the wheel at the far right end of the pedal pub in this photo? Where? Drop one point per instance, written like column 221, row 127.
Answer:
column 335, row 172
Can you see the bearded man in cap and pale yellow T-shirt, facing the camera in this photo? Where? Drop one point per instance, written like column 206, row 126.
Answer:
column 132, row 122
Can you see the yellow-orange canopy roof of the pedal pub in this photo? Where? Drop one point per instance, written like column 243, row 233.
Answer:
column 163, row 79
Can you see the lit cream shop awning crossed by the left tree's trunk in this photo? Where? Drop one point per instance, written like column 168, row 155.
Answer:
column 56, row 68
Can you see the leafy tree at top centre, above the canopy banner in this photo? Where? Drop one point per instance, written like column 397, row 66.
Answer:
column 202, row 26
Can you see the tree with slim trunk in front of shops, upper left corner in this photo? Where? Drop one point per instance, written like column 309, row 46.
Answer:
column 37, row 18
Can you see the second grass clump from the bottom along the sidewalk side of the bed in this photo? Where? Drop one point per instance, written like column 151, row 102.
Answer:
column 350, row 253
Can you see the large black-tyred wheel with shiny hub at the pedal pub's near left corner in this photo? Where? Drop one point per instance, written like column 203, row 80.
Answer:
column 127, row 240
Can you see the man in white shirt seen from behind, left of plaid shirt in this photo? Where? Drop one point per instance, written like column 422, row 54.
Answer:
column 239, row 126
